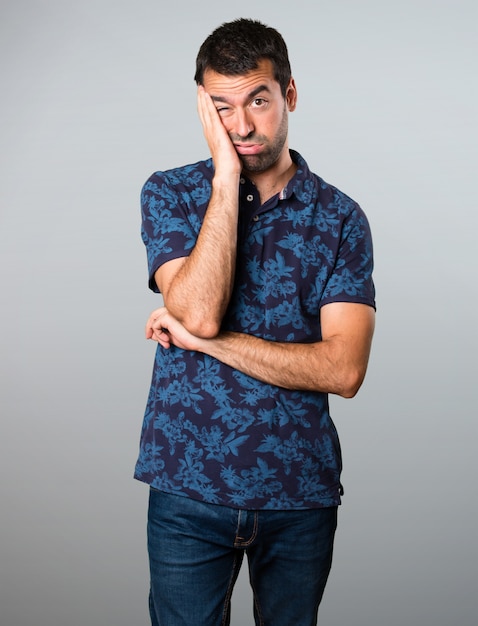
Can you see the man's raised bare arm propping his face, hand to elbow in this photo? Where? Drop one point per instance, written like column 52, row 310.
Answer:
column 196, row 289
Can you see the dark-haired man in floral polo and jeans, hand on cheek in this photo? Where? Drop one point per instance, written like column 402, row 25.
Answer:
column 265, row 271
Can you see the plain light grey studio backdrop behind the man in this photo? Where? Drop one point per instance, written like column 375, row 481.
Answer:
column 95, row 97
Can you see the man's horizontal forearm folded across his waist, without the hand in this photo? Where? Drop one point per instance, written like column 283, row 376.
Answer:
column 321, row 366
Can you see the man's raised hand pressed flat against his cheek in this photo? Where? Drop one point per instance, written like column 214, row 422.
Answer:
column 220, row 145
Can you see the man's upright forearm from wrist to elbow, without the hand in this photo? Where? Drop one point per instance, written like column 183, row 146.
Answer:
column 199, row 292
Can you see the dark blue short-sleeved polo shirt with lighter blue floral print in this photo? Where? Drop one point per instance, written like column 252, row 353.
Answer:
column 211, row 432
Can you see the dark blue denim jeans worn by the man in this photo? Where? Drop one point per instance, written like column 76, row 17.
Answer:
column 196, row 550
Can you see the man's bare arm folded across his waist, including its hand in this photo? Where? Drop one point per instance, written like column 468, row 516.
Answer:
column 337, row 364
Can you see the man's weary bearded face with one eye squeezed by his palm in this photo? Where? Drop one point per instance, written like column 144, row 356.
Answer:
column 254, row 113
